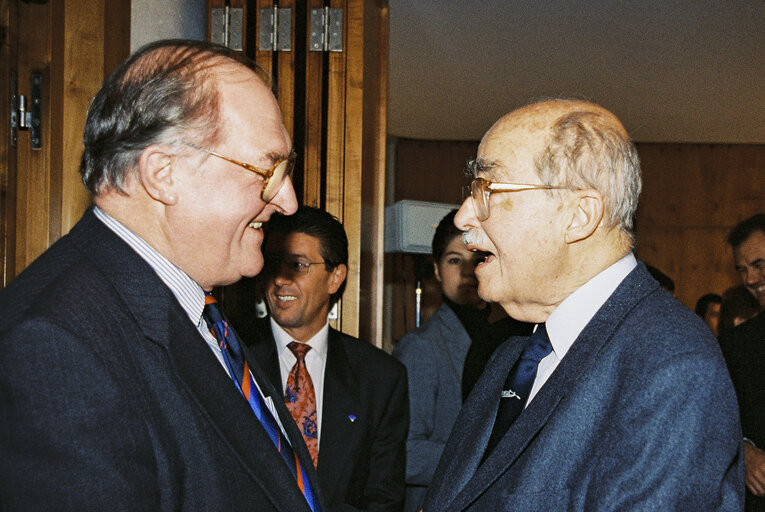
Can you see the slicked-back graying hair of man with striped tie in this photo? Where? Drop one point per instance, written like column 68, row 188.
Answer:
column 162, row 94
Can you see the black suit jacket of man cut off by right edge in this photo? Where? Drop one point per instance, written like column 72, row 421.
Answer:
column 744, row 350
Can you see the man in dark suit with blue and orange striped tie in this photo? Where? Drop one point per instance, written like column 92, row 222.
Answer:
column 114, row 393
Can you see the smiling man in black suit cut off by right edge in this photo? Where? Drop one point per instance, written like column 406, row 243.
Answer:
column 744, row 350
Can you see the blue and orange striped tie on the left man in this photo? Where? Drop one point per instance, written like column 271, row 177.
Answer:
column 240, row 372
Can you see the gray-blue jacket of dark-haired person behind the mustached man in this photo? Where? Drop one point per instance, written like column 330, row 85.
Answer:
column 434, row 356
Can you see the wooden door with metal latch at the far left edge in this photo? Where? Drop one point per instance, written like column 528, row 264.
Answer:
column 64, row 48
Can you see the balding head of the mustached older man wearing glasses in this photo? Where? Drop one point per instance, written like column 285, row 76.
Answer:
column 559, row 186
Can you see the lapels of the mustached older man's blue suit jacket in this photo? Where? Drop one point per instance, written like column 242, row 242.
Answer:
column 582, row 354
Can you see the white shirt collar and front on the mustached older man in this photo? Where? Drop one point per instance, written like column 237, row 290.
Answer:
column 572, row 315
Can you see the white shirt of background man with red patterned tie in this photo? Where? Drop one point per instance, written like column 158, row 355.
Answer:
column 315, row 362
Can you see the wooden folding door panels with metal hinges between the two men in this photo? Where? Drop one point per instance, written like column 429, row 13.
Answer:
column 334, row 107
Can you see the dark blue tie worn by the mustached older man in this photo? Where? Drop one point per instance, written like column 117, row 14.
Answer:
column 518, row 385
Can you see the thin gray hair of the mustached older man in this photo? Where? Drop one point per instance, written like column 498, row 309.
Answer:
column 589, row 149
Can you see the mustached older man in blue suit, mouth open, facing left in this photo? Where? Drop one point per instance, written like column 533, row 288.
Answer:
column 620, row 400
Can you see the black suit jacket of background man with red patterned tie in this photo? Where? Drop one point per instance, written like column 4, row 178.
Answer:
column 361, row 462
